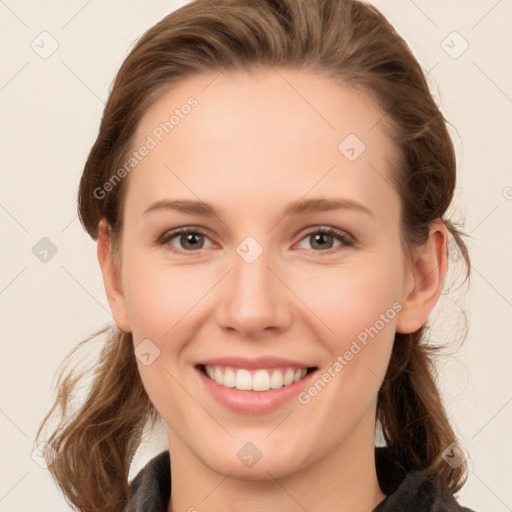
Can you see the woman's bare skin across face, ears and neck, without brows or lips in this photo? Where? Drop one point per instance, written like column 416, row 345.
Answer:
column 251, row 146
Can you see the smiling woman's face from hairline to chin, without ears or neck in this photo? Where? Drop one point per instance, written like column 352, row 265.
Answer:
column 261, row 294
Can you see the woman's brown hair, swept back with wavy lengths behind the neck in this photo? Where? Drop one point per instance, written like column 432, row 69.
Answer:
column 344, row 39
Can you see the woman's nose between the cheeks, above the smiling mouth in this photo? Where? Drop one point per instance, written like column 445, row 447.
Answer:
column 254, row 301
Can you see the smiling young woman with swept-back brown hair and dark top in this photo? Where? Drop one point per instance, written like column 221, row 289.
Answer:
column 268, row 191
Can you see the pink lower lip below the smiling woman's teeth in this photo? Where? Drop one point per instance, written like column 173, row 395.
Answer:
column 254, row 402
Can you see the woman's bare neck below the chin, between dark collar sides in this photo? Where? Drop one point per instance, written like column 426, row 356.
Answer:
column 345, row 480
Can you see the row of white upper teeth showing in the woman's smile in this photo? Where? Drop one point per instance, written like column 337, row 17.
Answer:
column 260, row 380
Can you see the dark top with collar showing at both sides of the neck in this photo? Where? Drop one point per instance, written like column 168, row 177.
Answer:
column 150, row 490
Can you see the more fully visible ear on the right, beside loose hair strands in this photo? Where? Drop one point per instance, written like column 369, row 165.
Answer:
column 425, row 278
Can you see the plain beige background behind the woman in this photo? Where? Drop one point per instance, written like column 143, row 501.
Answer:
column 51, row 109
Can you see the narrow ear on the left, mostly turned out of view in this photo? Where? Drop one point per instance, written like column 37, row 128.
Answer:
column 111, row 278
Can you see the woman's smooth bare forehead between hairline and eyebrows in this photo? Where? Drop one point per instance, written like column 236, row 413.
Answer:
column 262, row 134
